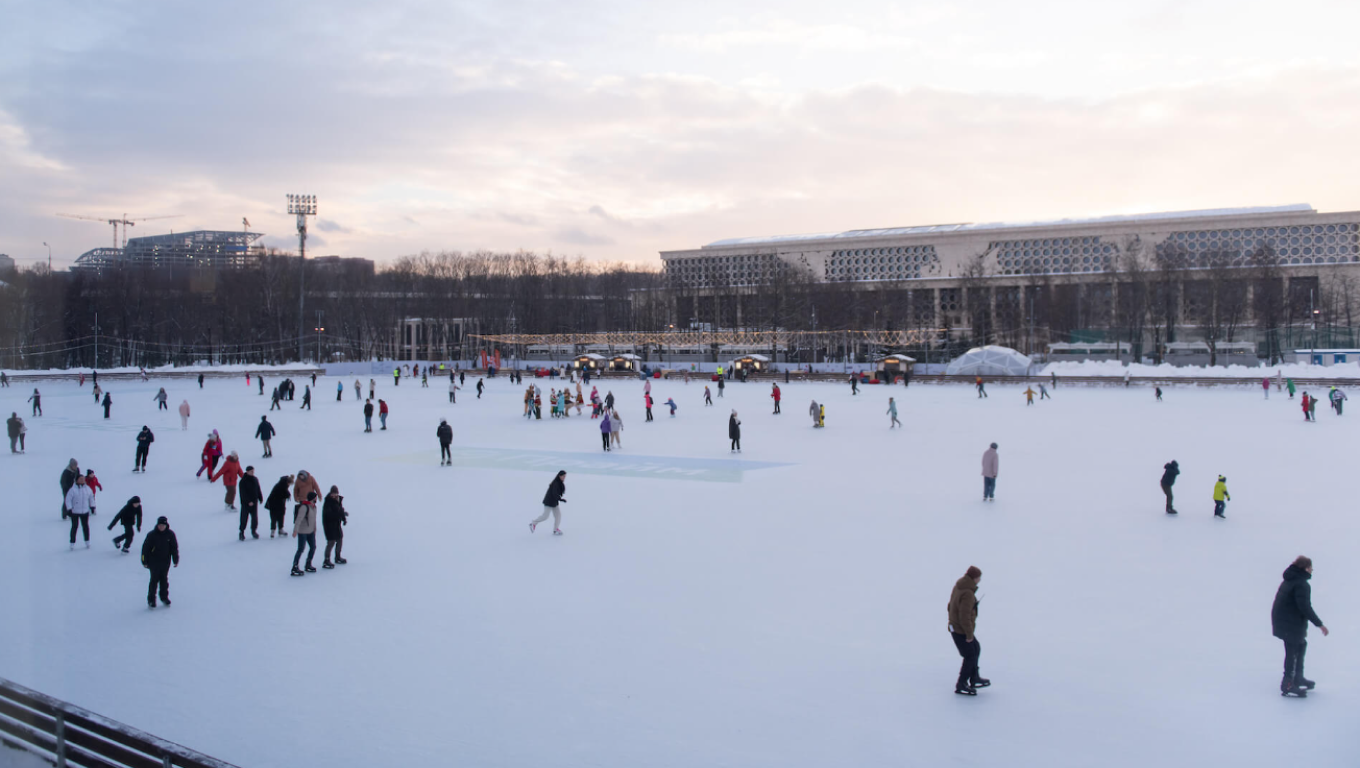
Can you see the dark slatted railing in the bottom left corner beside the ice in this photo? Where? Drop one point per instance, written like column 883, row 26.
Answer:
column 66, row 735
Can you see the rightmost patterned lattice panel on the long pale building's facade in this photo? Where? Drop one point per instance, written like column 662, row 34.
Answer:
column 1304, row 244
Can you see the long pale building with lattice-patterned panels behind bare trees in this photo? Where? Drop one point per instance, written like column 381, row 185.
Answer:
column 1149, row 279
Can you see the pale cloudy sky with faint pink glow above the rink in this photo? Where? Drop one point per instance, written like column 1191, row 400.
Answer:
column 615, row 131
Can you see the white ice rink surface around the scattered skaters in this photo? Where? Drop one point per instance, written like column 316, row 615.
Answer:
column 780, row 608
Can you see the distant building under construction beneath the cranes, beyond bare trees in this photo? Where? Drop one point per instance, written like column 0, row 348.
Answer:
column 201, row 249
